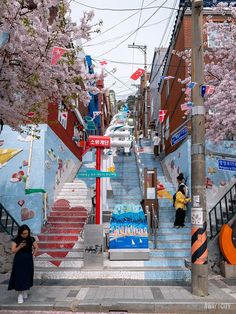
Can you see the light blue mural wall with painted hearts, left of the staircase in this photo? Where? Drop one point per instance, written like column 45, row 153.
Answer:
column 52, row 163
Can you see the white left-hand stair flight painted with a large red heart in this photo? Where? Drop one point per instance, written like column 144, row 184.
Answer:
column 60, row 242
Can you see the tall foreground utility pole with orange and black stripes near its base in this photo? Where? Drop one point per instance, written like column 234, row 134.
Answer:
column 199, row 250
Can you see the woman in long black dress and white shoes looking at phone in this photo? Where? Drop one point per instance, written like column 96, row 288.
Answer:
column 24, row 247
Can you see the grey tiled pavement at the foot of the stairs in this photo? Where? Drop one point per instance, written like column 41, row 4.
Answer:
column 66, row 295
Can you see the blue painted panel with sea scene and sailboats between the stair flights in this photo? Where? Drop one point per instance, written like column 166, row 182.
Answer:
column 128, row 228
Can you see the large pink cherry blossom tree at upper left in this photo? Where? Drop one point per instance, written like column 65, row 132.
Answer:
column 28, row 79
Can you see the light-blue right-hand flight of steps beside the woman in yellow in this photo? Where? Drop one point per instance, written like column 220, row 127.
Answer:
column 173, row 245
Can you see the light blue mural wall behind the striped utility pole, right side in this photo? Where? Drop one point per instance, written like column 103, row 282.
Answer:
column 218, row 180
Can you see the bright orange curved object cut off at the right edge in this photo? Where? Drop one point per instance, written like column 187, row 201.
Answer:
column 227, row 247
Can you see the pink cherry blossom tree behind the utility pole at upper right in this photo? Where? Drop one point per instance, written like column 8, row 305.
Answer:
column 219, row 73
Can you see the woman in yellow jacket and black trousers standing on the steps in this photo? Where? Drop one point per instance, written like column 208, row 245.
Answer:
column 180, row 206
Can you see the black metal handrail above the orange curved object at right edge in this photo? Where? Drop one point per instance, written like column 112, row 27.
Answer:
column 223, row 211
